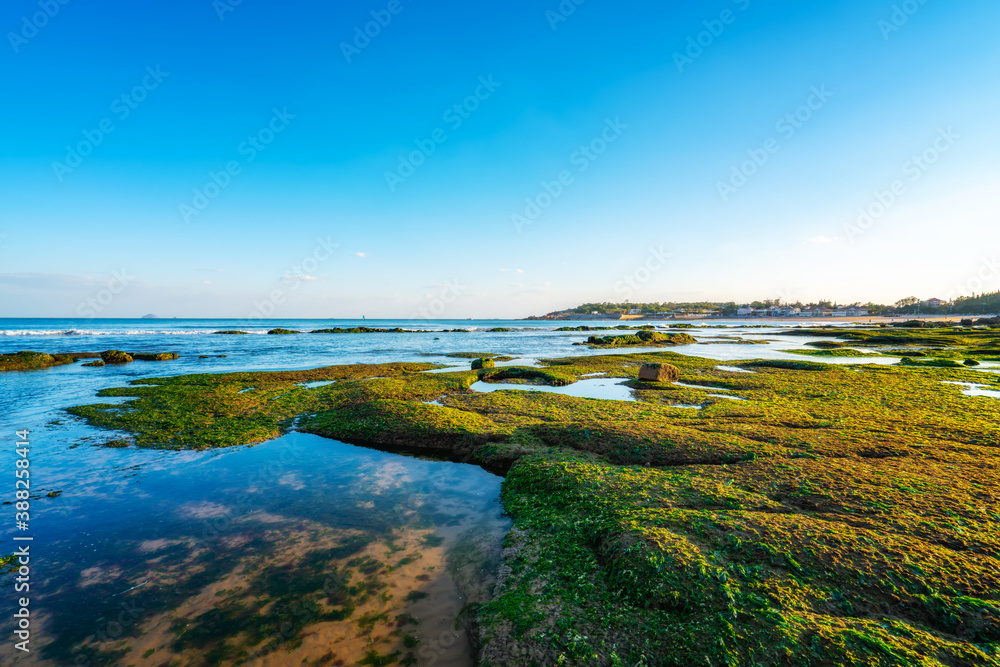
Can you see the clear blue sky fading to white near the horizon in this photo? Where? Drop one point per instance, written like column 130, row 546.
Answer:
column 201, row 159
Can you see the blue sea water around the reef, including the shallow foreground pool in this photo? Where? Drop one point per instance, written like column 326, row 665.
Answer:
column 143, row 557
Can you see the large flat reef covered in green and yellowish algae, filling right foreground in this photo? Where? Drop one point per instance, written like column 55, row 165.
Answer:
column 844, row 515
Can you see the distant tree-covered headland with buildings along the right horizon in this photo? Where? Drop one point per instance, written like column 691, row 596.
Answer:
column 982, row 304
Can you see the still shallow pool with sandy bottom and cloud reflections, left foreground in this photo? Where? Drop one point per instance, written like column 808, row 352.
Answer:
column 301, row 550
